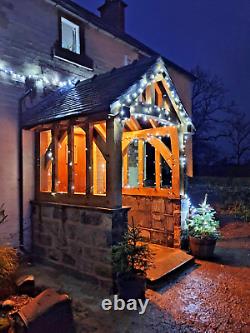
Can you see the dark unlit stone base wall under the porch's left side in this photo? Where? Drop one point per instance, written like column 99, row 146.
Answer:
column 78, row 239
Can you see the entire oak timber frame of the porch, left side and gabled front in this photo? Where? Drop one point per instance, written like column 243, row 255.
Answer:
column 113, row 144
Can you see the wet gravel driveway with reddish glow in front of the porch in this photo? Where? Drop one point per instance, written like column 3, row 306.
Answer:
column 208, row 297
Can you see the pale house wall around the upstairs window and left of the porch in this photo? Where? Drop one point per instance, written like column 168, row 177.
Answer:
column 28, row 32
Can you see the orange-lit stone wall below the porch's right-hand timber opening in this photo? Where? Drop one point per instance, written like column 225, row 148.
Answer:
column 159, row 219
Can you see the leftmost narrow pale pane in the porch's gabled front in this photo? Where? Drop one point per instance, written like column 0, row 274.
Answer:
column 133, row 164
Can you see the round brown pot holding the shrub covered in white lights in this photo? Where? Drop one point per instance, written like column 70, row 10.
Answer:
column 202, row 248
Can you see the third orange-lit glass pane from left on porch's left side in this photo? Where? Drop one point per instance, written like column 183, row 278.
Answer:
column 79, row 160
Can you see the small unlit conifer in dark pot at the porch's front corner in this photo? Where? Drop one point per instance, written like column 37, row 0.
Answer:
column 131, row 259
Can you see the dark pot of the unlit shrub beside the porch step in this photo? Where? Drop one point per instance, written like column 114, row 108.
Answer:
column 131, row 286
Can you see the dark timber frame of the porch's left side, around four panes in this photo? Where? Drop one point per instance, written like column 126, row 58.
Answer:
column 110, row 145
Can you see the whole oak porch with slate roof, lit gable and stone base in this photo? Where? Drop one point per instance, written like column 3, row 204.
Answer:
column 115, row 140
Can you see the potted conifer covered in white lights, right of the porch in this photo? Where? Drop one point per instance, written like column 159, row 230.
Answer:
column 203, row 230
